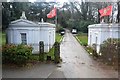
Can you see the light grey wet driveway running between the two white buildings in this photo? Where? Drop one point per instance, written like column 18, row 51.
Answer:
column 78, row 64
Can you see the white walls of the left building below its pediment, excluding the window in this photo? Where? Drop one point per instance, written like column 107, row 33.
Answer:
column 35, row 34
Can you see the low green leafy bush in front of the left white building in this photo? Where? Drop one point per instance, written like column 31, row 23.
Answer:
column 16, row 54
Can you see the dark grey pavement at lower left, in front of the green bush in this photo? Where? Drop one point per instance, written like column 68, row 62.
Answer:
column 38, row 70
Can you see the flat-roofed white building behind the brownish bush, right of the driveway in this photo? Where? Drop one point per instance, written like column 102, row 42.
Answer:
column 97, row 33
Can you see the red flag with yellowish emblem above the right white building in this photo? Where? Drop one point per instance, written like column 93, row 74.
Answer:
column 105, row 11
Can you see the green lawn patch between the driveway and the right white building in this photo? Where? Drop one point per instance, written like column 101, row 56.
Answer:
column 83, row 38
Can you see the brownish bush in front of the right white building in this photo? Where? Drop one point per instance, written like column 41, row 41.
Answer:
column 109, row 51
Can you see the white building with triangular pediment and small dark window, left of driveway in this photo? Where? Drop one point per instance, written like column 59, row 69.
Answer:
column 31, row 33
